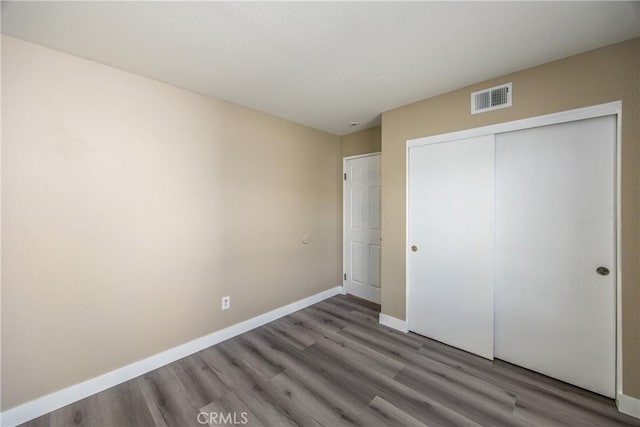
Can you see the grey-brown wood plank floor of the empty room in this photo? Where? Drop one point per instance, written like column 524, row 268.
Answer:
column 332, row 364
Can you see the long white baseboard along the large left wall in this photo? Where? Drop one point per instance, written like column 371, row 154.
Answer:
column 51, row 402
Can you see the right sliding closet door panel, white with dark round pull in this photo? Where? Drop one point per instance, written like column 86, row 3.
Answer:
column 554, row 228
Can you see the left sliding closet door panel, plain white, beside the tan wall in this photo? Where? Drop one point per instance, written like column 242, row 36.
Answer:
column 451, row 228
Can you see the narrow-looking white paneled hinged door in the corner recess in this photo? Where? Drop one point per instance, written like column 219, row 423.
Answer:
column 362, row 247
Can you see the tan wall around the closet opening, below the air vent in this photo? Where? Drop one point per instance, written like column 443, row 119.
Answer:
column 596, row 77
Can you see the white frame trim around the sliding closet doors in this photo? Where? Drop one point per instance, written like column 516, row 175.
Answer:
column 600, row 110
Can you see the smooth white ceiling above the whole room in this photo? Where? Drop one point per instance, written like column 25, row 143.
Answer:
column 322, row 64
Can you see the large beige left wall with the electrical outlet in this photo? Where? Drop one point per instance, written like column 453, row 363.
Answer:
column 130, row 207
